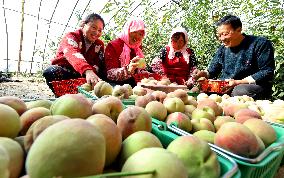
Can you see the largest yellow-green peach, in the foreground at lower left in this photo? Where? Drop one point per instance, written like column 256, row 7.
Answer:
column 69, row 148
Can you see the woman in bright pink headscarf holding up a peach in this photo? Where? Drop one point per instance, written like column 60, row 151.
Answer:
column 122, row 54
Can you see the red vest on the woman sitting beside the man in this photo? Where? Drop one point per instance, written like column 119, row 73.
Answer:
column 177, row 69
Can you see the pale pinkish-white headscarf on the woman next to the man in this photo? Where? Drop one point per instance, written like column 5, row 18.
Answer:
column 172, row 51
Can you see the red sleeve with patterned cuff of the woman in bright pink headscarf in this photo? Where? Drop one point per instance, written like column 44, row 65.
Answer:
column 113, row 66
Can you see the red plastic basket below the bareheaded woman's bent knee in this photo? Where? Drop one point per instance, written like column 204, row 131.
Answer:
column 63, row 87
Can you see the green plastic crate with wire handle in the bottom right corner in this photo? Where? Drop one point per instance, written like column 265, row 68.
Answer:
column 263, row 166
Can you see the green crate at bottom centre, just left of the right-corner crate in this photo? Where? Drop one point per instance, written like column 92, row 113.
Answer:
column 229, row 167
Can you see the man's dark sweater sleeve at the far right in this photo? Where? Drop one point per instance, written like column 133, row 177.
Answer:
column 265, row 61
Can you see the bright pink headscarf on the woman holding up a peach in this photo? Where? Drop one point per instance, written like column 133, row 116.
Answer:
column 131, row 26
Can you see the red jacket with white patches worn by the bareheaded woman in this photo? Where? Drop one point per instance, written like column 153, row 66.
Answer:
column 72, row 53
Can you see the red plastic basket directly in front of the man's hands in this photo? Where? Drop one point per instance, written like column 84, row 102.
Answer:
column 213, row 86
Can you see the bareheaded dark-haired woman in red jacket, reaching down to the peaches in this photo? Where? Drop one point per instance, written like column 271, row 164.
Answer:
column 80, row 53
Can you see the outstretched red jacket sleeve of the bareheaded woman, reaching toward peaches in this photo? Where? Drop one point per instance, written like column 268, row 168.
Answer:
column 72, row 52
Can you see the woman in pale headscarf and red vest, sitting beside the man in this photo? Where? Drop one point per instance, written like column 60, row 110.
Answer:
column 176, row 60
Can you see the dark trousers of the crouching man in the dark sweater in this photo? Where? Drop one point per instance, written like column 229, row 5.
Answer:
column 252, row 90
